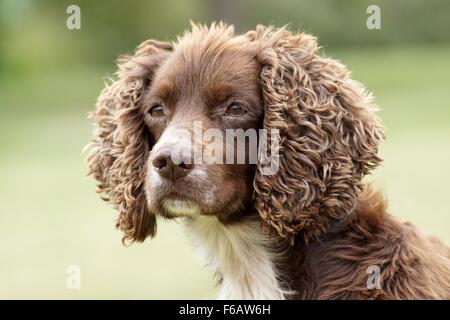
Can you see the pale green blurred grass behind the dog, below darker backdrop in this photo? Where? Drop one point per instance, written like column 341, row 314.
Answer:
column 51, row 218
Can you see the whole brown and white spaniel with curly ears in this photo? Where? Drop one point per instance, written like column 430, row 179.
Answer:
column 310, row 230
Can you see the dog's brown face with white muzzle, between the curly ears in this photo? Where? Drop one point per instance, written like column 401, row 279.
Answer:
column 210, row 86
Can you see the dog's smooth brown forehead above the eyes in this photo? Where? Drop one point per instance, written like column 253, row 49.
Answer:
column 211, row 70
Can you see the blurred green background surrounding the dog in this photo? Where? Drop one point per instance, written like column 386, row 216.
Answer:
column 50, row 76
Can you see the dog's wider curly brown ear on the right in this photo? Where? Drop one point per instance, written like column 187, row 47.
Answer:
column 328, row 132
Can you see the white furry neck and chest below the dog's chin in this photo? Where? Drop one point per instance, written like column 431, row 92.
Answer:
column 243, row 257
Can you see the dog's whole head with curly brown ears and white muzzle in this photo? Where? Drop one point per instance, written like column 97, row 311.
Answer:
column 167, row 138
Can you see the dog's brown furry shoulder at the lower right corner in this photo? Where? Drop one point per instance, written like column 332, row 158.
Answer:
column 372, row 255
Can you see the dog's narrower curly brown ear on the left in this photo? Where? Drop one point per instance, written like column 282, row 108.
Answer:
column 120, row 144
